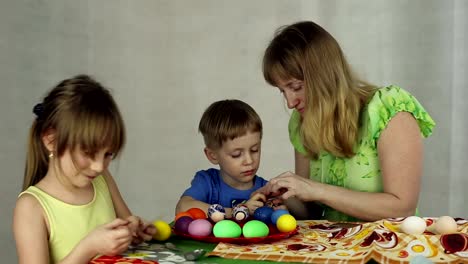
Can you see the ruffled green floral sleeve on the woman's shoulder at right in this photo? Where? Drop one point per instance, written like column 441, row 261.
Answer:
column 387, row 102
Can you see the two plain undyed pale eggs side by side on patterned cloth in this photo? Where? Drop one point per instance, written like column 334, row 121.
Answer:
column 415, row 225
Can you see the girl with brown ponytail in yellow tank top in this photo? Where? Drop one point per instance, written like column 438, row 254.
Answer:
column 70, row 208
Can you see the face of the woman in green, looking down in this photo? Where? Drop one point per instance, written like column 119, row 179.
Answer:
column 294, row 93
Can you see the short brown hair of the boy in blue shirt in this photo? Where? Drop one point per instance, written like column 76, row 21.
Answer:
column 228, row 119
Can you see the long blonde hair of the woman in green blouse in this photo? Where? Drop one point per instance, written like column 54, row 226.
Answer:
column 334, row 94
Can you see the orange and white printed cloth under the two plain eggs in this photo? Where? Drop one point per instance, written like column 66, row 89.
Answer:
column 320, row 241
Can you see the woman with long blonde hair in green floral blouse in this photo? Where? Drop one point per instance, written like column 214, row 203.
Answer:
column 358, row 147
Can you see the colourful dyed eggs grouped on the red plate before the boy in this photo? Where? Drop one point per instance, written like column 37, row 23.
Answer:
column 196, row 223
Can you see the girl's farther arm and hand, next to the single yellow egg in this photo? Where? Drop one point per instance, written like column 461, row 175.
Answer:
column 140, row 229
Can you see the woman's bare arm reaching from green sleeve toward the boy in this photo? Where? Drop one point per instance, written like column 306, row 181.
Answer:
column 400, row 152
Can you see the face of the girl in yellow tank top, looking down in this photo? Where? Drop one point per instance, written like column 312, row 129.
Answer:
column 80, row 168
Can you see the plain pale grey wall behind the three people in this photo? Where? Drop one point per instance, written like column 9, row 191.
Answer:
column 166, row 61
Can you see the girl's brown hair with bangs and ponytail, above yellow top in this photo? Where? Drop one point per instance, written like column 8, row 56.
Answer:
column 82, row 114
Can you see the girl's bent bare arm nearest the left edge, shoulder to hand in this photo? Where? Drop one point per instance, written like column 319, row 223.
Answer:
column 30, row 228
